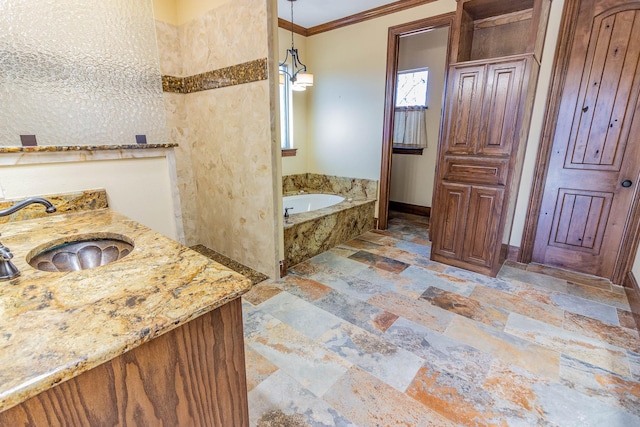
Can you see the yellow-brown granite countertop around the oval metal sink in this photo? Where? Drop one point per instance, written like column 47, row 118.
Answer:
column 54, row 326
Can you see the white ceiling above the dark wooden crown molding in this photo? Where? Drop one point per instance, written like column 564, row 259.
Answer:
column 309, row 13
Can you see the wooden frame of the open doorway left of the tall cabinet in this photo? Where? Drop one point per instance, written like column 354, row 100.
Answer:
column 393, row 45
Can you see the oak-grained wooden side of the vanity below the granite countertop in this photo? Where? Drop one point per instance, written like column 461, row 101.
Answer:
column 193, row 375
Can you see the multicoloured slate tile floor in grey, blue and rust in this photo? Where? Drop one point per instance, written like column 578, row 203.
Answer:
column 373, row 333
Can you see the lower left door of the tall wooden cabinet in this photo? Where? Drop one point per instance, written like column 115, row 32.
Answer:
column 453, row 203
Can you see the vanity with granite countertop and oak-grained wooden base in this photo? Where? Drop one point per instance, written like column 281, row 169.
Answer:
column 154, row 338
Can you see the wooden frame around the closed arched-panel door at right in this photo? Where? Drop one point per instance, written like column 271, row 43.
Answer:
column 631, row 234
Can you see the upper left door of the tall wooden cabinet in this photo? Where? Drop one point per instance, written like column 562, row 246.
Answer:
column 464, row 108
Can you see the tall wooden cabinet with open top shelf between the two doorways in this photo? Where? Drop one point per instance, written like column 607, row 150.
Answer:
column 491, row 81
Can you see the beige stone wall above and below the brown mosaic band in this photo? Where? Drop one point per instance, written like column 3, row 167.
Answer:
column 227, row 162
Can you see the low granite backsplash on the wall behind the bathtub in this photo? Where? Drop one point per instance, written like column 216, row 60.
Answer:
column 355, row 188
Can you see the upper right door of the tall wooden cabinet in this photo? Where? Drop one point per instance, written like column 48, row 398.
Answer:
column 501, row 108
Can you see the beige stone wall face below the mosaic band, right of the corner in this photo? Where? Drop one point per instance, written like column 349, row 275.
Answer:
column 234, row 174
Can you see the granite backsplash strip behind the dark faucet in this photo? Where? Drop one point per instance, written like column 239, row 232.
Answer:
column 64, row 203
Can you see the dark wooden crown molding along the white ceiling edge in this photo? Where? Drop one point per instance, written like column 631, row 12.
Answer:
column 353, row 19
